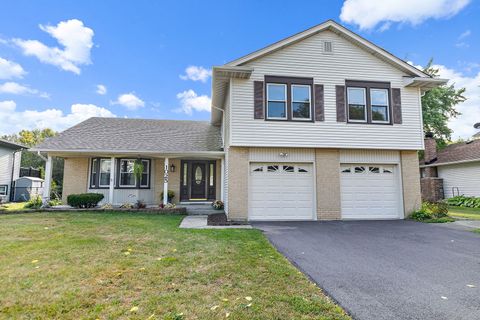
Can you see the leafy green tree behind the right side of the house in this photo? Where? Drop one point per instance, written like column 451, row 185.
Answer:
column 438, row 106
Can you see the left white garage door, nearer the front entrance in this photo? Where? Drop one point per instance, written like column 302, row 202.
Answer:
column 281, row 191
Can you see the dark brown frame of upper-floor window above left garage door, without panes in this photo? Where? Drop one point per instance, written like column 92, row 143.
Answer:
column 288, row 82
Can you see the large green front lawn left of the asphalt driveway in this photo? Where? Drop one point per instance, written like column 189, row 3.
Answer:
column 140, row 266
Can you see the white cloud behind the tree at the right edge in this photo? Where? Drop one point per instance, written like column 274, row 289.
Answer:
column 463, row 125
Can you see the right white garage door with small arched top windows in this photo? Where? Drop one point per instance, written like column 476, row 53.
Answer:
column 370, row 191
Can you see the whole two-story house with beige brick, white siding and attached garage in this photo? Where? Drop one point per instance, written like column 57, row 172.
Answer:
column 321, row 125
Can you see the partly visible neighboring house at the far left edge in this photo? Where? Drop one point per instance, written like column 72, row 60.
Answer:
column 10, row 156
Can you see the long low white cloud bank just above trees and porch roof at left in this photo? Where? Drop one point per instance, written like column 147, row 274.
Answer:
column 14, row 121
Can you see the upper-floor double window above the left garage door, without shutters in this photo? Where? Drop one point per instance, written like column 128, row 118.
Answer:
column 288, row 98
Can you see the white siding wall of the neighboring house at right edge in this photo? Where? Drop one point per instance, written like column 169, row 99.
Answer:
column 465, row 177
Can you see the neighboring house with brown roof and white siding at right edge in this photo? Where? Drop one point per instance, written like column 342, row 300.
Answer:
column 452, row 171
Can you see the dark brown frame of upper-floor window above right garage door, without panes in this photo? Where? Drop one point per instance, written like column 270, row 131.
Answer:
column 370, row 85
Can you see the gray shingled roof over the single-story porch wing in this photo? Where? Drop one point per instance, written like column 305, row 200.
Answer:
column 143, row 135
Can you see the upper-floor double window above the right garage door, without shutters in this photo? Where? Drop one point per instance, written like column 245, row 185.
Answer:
column 368, row 102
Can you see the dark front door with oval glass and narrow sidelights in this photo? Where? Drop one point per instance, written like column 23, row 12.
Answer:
column 197, row 182
